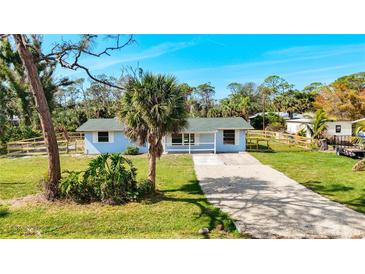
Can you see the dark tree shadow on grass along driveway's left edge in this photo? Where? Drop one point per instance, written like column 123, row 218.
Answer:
column 216, row 216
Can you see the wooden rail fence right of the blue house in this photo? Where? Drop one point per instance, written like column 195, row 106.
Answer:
column 257, row 137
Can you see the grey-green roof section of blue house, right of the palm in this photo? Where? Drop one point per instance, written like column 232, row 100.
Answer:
column 212, row 124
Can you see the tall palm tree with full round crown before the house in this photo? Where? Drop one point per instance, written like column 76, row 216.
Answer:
column 152, row 106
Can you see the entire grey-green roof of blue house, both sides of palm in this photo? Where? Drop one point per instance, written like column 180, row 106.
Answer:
column 194, row 124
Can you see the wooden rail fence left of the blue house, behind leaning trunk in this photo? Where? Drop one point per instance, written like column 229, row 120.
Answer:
column 37, row 146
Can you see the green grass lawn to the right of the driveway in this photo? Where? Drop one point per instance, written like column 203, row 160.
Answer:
column 325, row 173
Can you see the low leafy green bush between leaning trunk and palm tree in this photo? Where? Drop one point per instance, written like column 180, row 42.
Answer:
column 110, row 178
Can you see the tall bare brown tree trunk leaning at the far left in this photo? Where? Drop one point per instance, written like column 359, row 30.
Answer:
column 54, row 169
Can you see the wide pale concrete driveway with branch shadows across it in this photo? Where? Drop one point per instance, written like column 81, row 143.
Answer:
column 267, row 204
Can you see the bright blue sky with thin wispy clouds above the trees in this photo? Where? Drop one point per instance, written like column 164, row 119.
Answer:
column 222, row 59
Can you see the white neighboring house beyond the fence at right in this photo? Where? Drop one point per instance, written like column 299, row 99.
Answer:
column 334, row 128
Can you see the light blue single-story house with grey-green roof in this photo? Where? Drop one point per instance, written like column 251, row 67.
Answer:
column 200, row 134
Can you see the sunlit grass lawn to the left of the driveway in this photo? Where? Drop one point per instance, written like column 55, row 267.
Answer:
column 179, row 211
